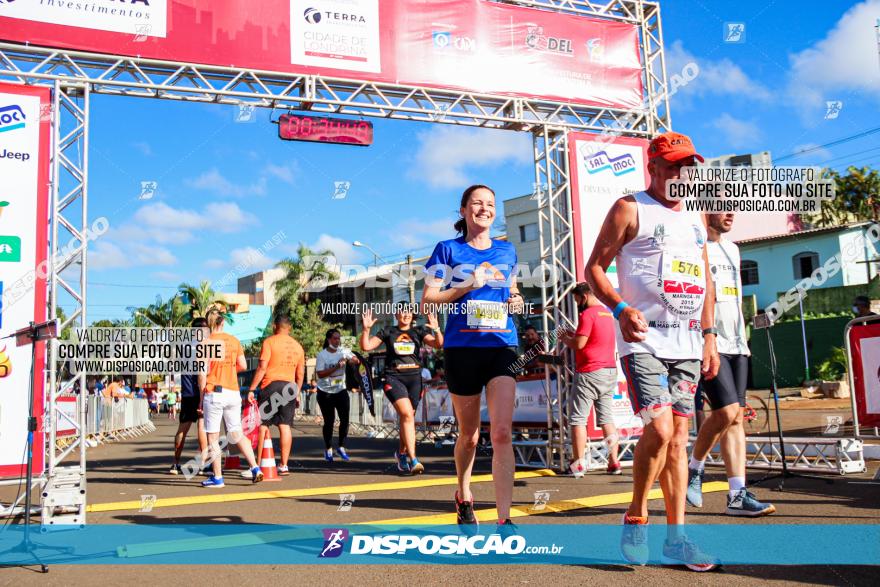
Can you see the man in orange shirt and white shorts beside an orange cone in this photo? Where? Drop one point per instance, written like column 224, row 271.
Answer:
column 221, row 400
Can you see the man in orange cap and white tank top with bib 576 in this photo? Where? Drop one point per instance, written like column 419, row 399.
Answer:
column 665, row 308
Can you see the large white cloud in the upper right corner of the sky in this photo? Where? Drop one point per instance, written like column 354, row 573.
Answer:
column 844, row 61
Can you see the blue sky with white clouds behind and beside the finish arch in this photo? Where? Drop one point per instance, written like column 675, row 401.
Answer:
column 224, row 188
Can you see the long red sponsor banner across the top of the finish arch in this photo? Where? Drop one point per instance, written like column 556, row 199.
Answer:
column 468, row 45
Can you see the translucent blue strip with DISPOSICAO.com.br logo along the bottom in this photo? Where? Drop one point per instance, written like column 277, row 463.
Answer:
column 349, row 544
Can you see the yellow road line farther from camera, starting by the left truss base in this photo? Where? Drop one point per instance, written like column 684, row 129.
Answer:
column 306, row 492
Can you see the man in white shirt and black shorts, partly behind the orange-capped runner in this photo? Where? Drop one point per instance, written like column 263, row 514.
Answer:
column 727, row 392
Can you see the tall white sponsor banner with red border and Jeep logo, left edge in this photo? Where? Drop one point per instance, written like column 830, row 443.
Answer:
column 24, row 169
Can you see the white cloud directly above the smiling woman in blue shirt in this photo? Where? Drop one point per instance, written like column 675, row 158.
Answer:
column 448, row 156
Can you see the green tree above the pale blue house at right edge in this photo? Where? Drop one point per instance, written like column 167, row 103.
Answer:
column 857, row 198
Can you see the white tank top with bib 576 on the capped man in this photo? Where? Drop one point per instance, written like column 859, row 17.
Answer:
column 661, row 272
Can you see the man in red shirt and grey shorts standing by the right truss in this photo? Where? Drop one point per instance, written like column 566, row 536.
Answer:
column 593, row 344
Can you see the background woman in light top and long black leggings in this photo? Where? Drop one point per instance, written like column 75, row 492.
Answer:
column 332, row 394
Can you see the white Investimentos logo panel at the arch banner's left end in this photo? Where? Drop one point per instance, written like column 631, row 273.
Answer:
column 135, row 17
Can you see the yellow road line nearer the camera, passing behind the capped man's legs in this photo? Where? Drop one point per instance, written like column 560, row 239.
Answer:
column 550, row 508
